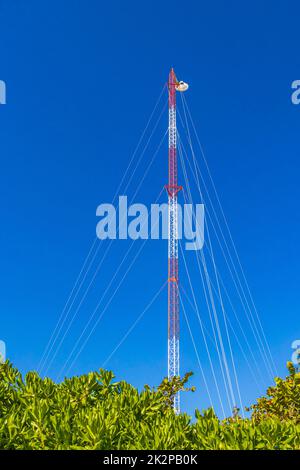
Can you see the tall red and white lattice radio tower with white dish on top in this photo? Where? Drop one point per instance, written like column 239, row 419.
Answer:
column 173, row 189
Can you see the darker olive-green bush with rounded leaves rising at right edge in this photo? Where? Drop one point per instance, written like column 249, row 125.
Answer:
column 282, row 401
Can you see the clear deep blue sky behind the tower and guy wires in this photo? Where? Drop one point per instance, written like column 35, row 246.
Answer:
column 82, row 78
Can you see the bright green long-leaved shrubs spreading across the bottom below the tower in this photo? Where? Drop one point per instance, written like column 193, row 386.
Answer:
column 95, row 412
